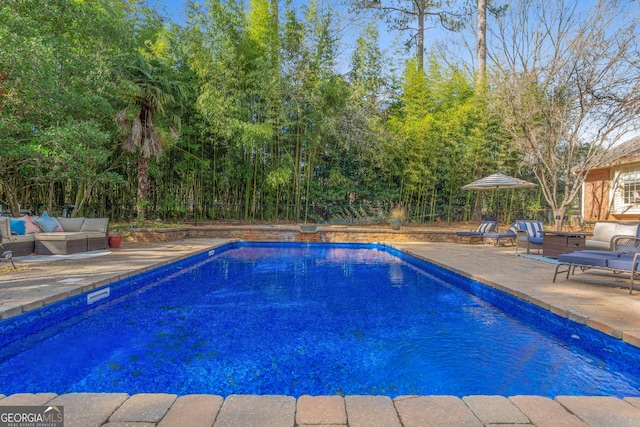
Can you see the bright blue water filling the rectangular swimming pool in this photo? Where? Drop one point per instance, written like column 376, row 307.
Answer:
column 309, row 319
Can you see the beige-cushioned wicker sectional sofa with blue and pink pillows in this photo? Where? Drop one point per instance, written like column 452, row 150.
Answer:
column 47, row 235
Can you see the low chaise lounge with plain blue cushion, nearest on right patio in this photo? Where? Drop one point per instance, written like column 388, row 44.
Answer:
column 625, row 258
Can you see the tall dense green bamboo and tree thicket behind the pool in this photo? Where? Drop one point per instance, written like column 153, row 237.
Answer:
column 247, row 111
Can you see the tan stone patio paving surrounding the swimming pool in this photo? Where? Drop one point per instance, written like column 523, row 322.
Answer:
column 596, row 299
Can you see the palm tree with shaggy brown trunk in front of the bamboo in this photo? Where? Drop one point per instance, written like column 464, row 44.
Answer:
column 147, row 90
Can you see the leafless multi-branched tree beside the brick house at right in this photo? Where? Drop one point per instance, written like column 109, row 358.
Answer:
column 568, row 85
